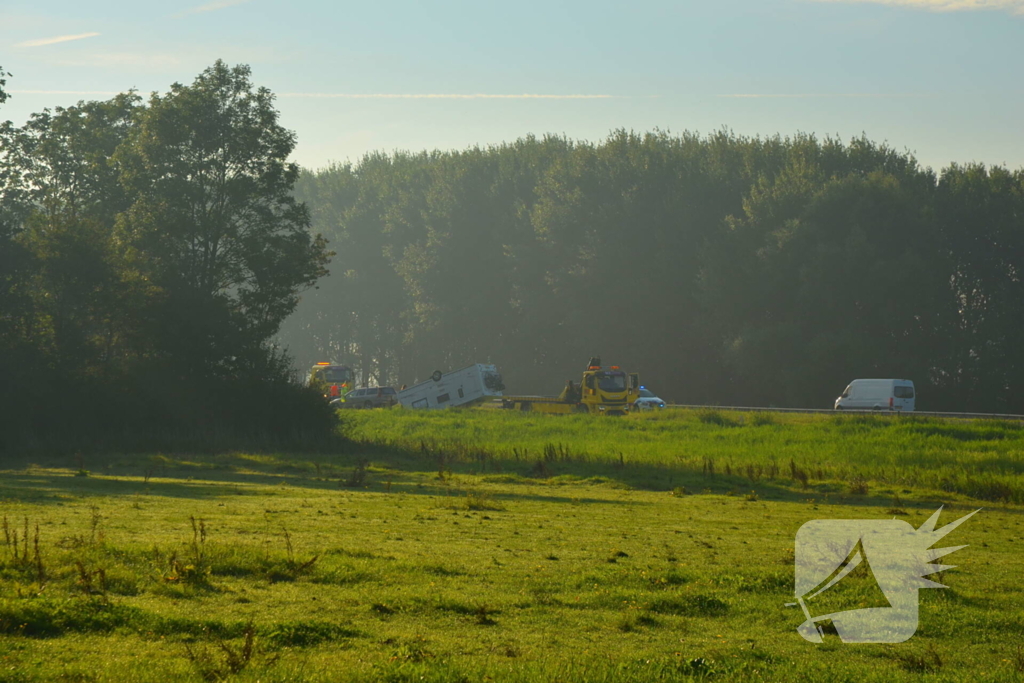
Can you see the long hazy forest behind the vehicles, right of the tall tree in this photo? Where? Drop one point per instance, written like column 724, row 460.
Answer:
column 724, row 270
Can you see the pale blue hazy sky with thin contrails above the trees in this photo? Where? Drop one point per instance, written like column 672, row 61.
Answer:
column 942, row 78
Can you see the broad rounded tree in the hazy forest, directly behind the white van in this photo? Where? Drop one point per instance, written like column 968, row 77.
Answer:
column 833, row 273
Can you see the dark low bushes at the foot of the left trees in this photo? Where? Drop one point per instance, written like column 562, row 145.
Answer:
column 157, row 408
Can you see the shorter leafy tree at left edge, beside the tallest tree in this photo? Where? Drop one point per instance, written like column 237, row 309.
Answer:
column 59, row 167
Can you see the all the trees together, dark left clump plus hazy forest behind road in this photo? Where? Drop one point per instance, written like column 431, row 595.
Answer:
column 162, row 271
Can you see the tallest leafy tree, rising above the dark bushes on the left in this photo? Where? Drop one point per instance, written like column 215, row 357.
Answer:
column 215, row 219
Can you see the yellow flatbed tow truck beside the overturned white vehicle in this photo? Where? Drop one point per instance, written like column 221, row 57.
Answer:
column 603, row 392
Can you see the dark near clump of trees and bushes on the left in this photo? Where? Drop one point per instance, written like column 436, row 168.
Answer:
column 149, row 252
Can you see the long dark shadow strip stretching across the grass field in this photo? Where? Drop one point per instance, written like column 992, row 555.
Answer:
column 395, row 469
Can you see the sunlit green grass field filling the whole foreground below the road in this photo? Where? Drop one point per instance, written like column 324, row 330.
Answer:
column 488, row 546
